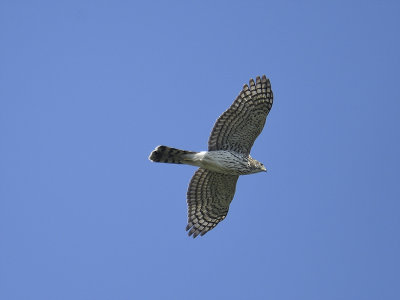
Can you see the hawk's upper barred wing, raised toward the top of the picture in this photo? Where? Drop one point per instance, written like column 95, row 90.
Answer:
column 239, row 126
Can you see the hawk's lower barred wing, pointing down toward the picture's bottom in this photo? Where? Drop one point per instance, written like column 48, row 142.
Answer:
column 208, row 198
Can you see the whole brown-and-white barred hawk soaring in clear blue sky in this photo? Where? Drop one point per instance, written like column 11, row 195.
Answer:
column 213, row 185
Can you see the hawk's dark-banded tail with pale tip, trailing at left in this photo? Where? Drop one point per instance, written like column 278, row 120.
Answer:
column 171, row 155
